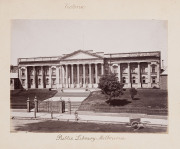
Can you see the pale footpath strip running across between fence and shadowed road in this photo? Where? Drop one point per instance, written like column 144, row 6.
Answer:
column 90, row 117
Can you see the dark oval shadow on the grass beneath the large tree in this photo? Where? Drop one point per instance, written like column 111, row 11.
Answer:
column 118, row 102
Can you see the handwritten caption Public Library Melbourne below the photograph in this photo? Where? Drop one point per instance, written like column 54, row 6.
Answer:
column 61, row 137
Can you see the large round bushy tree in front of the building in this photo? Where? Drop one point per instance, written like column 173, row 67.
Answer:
column 110, row 85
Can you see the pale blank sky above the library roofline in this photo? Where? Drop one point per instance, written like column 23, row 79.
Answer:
column 38, row 38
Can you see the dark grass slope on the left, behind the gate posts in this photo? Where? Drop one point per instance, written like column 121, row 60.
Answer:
column 20, row 96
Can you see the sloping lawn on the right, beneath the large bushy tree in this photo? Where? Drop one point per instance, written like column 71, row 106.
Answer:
column 146, row 99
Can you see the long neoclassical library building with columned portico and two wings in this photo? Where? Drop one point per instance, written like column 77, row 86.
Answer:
column 84, row 68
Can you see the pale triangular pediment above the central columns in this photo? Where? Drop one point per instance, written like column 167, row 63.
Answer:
column 80, row 55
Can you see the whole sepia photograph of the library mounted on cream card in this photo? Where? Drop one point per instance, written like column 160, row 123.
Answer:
column 100, row 76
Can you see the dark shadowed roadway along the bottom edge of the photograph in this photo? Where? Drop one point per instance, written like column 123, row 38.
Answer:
column 60, row 126
